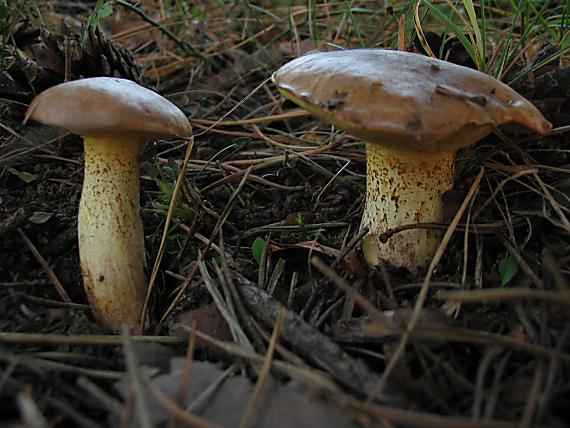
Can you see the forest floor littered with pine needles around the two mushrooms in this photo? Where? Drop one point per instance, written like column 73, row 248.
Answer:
column 264, row 311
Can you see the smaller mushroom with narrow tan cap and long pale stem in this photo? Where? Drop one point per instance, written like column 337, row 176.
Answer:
column 115, row 117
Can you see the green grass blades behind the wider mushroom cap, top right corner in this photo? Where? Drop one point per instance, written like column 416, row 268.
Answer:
column 497, row 35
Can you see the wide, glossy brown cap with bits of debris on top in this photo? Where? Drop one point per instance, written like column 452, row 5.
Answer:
column 404, row 100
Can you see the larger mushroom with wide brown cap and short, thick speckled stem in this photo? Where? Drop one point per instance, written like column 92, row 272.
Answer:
column 413, row 112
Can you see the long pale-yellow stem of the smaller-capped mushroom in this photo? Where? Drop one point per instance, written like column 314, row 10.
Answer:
column 111, row 240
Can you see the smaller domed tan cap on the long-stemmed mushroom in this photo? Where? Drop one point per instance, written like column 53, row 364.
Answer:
column 104, row 106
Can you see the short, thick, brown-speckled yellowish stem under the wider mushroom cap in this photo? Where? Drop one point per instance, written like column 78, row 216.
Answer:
column 404, row 188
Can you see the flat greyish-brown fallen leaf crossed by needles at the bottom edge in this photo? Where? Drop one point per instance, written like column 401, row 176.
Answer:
column 280, row 405
